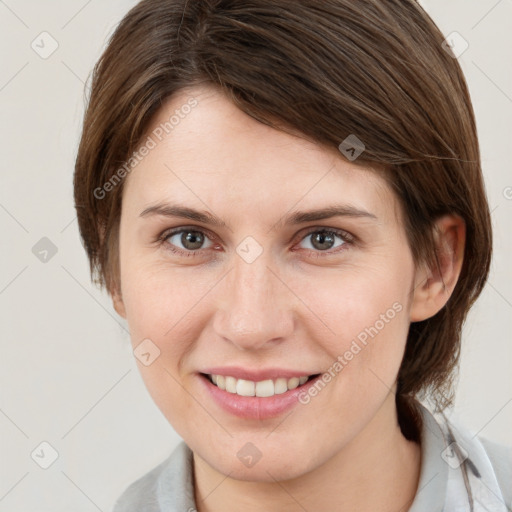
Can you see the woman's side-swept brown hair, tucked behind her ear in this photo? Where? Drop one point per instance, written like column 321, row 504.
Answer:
column 329, row 69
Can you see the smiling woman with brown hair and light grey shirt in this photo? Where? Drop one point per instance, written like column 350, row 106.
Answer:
column 285, row 201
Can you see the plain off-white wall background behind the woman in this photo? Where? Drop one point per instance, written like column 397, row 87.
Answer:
column 67, row 373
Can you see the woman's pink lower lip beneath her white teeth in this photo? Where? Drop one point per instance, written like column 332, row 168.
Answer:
column 255, row 407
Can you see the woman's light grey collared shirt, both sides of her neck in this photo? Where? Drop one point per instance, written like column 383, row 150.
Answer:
column 460, row 472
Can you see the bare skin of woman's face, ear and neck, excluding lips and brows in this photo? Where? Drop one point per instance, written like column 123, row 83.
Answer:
column 295, row 307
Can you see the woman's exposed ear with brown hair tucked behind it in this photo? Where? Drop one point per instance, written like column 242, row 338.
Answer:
column 433, row 287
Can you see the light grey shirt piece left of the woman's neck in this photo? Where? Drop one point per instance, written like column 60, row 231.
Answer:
column 166, row 487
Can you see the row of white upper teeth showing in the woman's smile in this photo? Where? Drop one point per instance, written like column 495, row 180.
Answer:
column 263, row 388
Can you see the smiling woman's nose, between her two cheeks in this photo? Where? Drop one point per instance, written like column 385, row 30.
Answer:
column 255, row 307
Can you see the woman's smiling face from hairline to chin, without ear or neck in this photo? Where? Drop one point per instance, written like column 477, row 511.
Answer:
column 263, row 294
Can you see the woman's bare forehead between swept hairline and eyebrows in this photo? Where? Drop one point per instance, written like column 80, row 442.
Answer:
column 215, row 154
